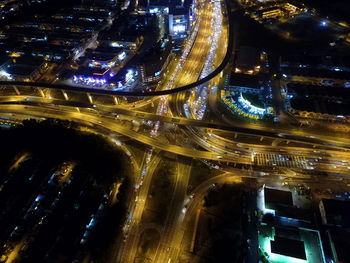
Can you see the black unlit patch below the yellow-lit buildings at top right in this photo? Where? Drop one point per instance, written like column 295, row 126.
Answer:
column 310, row 37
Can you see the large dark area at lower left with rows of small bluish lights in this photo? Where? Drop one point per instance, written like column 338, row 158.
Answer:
column 56, row 220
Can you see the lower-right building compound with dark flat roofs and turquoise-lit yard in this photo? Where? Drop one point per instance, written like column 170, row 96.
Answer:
column 291, row 236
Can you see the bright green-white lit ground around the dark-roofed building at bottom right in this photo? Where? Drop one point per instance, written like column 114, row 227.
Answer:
column 312, row 242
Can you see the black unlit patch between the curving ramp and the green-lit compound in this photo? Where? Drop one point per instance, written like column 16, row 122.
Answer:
column 222, row 240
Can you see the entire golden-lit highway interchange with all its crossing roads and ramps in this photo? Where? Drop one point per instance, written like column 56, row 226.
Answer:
column 162, row 124
